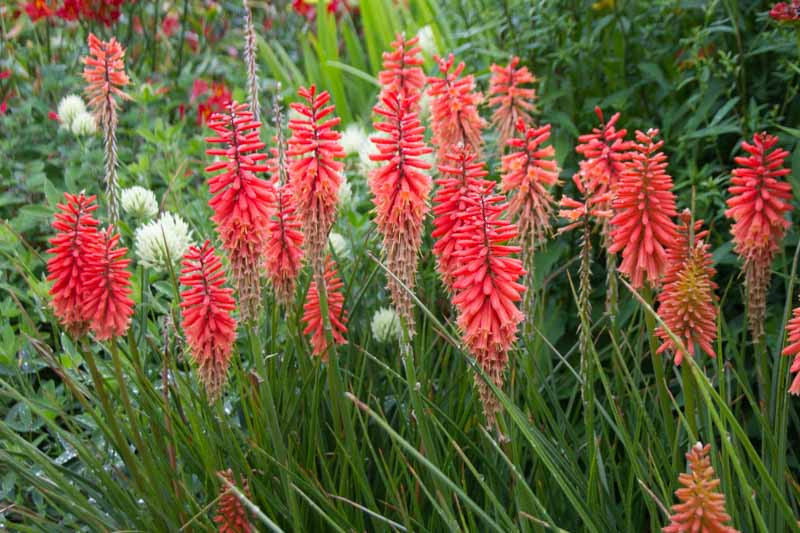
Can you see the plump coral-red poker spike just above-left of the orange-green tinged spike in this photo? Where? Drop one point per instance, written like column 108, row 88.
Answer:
column 642, row 227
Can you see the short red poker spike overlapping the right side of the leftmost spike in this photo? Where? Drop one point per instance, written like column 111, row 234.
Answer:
column 107, row 287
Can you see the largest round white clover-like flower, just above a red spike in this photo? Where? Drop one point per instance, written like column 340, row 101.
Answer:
column 162, row 241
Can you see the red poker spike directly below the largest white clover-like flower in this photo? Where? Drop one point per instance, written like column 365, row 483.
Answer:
column 207, row 311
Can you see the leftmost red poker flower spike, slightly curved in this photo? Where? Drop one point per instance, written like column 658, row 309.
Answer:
column 76, row 233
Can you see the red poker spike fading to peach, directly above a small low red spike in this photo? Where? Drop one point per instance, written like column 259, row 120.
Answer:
column 315, row 174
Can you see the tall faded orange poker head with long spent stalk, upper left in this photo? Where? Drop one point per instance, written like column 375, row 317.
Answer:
column 104, row 72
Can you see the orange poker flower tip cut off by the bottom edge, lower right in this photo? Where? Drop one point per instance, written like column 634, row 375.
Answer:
column 702, row 507
